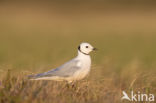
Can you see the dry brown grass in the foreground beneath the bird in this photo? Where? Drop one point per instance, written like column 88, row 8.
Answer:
column 104, row 88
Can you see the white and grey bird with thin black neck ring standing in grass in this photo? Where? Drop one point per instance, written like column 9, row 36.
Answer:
column 76, row 69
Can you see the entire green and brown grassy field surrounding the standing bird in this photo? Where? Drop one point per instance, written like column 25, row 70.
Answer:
column 35, row 38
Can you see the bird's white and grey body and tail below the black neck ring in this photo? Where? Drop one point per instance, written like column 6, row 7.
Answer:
column 72, row 70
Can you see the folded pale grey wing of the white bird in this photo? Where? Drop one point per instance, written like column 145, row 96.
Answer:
column 67, row 69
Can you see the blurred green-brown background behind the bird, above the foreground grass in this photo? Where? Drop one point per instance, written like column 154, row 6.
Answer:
column 37, row 35
